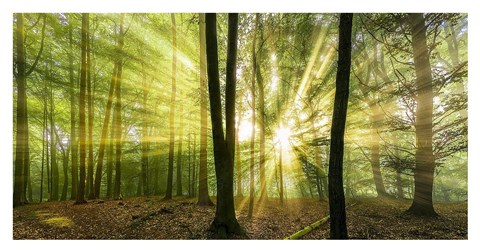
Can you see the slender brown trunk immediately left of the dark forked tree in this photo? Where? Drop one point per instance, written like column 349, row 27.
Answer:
column 203, row 197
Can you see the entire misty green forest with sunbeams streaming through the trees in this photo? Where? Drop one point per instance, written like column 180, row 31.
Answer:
column 240, row 126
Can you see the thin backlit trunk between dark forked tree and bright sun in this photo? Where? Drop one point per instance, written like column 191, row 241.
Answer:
column 252, row 139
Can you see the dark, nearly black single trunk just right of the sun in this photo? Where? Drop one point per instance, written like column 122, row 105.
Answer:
column 338, row 224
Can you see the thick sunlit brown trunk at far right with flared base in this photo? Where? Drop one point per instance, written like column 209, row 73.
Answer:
column 424, row 159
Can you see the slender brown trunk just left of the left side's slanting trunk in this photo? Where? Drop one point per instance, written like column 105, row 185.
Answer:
column 82, row 132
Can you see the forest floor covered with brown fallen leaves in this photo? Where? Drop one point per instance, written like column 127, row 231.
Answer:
column 181, row 218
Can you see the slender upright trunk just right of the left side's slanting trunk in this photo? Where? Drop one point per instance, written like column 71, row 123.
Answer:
column 118, row 117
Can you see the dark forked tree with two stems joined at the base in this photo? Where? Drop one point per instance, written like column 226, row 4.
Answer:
column 225, row 221
